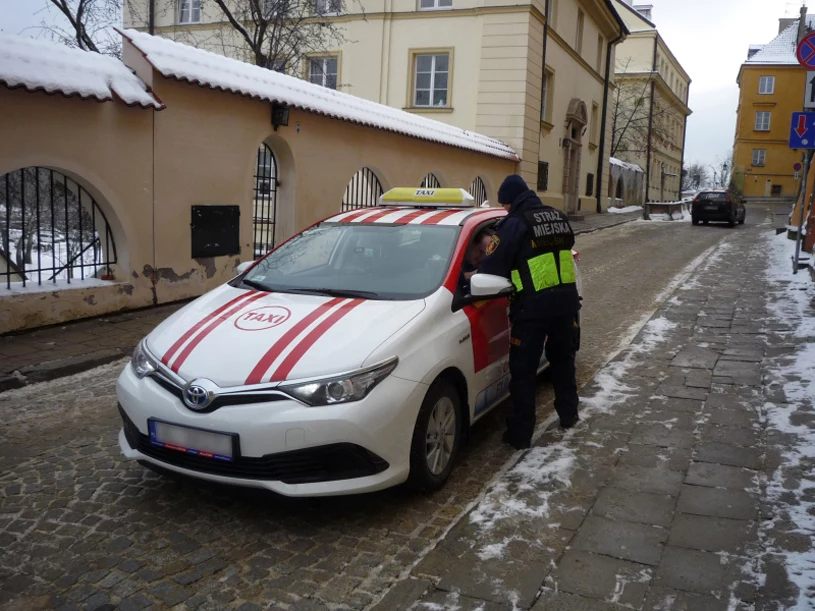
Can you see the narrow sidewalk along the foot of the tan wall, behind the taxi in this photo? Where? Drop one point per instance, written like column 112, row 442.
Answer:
column 49, row 353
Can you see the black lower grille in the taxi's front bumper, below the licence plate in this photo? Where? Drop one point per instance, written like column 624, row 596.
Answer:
column 307, row 466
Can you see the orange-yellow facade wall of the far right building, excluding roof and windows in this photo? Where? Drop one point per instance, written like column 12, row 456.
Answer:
column 780, row 159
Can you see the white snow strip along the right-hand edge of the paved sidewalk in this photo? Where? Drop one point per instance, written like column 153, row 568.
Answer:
column 789, row 489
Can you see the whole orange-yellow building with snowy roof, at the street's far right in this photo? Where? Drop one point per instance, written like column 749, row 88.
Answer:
column 771, row 84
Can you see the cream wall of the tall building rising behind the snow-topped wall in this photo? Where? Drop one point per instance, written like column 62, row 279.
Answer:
column 497, row 65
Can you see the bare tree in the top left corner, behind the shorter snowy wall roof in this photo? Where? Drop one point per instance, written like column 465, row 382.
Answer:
column 88, row 25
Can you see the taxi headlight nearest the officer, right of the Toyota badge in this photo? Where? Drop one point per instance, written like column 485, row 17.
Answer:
column 353, row 386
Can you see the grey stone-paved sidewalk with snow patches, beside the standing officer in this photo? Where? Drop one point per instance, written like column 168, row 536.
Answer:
column 661, row 499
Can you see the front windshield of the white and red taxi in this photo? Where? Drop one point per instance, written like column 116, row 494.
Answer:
column 372, row 261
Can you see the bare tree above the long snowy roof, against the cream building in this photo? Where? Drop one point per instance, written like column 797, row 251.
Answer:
column 281, row 34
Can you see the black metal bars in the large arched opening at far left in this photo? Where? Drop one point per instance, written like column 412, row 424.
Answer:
column 51, row 229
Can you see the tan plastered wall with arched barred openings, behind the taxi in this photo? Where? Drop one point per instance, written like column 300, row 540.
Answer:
column 204, row 153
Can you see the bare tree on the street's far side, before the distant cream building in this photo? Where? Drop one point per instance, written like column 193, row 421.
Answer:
column 634, row 115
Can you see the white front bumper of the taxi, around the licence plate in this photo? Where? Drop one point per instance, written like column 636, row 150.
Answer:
column 284, row 446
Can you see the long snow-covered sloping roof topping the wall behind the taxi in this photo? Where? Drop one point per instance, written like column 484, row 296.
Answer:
column 175, row 60
